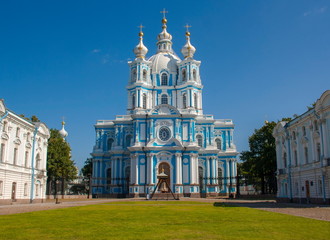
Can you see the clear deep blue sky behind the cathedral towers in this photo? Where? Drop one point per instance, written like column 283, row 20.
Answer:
column 261, row 60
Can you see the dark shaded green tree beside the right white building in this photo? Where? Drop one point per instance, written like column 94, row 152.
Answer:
column 259, row 164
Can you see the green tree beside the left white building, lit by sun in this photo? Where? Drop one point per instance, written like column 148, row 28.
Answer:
column 60, row 167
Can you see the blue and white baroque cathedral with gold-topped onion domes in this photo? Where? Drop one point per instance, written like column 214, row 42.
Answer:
column 164, row 130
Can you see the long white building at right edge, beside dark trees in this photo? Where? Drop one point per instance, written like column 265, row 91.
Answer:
column 303, row 155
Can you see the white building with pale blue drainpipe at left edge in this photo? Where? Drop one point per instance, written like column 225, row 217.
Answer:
column 23, row 155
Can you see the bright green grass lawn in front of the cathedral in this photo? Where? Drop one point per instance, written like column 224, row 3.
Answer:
column 160, row 220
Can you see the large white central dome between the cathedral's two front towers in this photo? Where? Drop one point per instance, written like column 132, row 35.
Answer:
column 164, row 60
